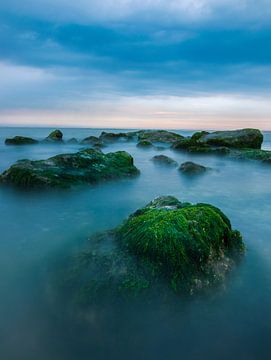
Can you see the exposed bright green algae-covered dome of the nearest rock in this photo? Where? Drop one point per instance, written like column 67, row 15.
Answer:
column 185, row 244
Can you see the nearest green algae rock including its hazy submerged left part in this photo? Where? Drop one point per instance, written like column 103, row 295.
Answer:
column 167, row 243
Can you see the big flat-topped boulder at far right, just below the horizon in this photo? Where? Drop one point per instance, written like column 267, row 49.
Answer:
column 244, row 138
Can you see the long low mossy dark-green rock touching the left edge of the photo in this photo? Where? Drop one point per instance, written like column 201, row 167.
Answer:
column 86, row 166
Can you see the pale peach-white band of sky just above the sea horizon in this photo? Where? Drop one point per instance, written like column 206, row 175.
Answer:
column 171, row 112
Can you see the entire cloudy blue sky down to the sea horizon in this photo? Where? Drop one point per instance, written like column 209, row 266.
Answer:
column 176, row 64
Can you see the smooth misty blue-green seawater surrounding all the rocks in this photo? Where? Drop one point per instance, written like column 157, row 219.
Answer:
column 39, row 228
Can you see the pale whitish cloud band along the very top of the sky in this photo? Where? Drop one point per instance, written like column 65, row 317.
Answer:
column 148, row 11
